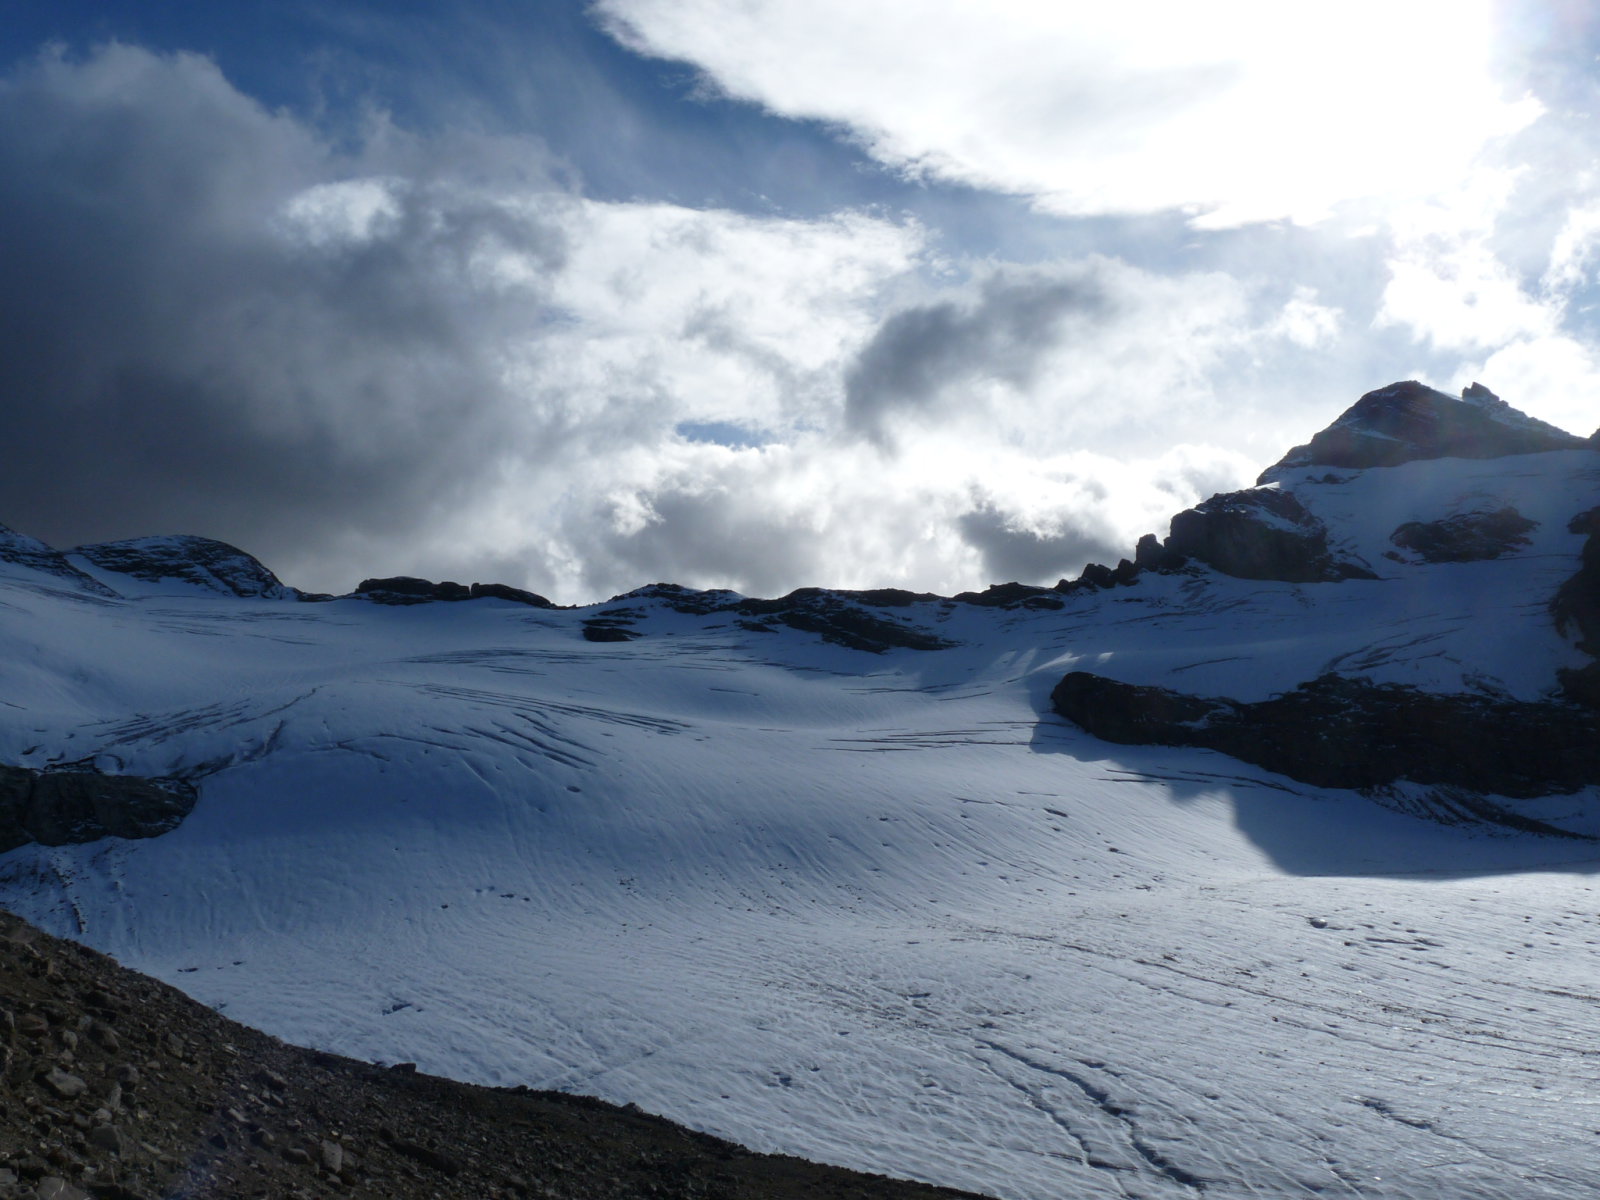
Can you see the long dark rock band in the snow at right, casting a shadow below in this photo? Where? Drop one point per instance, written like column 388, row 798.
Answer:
column 1338, row 732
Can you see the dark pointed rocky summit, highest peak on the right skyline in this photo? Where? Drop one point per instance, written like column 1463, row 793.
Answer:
column 1409, row 422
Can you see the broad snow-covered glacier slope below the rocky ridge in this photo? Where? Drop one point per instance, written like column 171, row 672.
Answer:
column 882, row 910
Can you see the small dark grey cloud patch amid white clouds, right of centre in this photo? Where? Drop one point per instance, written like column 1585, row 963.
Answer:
column 921, row 358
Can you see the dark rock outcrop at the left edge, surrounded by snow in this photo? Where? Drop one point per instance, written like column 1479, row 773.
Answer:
column 63, row 807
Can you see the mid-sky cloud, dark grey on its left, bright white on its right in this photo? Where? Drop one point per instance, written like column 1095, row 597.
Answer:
column 1079, row 354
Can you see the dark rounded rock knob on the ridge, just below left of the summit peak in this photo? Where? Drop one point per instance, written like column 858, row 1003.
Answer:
column 1258, row 535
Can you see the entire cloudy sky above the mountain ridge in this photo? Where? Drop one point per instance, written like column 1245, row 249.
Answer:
column 759, row 294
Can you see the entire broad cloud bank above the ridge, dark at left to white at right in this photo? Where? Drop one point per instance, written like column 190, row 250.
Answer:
column 431, row 356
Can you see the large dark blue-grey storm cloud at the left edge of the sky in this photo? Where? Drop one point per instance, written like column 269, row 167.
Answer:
column 180, row 354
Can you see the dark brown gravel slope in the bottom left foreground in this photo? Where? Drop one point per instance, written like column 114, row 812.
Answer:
column 118, row 1087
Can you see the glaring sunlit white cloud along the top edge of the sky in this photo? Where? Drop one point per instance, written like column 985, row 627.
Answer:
column 1236, row 111
